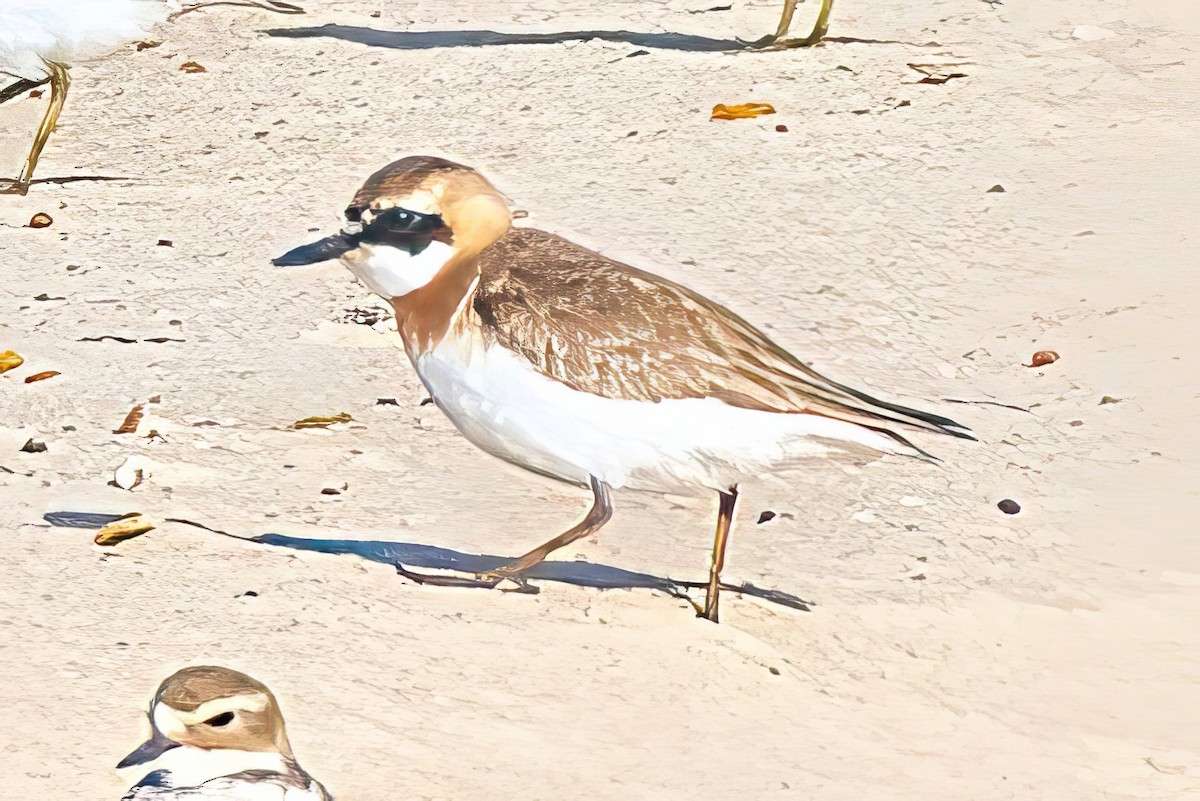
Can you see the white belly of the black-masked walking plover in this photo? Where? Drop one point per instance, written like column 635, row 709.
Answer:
column 506, row 407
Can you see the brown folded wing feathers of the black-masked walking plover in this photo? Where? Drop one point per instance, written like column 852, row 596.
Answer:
column 604, row 328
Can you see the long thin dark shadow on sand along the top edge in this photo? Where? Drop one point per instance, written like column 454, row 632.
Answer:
column 433, row 40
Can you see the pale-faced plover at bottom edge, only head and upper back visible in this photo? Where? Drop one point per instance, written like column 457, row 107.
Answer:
column 218, row 734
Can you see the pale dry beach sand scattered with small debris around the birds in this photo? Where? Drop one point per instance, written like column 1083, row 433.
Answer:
column 953, row 652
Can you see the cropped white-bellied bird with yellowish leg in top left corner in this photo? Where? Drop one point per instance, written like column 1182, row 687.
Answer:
column 41, row 39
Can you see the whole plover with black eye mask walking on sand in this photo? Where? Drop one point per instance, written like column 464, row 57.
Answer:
column 586, row 370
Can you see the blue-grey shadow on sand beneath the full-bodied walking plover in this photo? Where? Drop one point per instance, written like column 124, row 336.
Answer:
column 407, row 556
